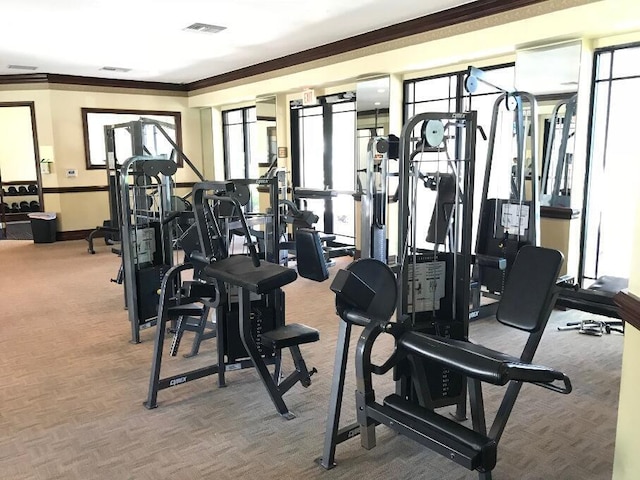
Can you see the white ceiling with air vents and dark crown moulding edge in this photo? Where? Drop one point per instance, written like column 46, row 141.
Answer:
column 79, row 37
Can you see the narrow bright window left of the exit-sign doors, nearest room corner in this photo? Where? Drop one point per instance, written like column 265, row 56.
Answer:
column 239, row 127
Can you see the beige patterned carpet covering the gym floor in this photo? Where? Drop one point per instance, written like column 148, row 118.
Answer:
column 73, row 386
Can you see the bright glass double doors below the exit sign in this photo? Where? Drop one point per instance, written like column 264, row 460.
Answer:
column 323, row 153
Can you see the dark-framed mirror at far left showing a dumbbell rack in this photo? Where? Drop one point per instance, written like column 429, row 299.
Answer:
column 19, row 162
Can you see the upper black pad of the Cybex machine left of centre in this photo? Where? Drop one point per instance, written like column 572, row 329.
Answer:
column 239, row 270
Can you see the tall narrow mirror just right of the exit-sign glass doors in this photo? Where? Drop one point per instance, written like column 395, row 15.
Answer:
column 372, row 123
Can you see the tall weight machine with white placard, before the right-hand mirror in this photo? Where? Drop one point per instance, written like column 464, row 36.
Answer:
column 510, row 216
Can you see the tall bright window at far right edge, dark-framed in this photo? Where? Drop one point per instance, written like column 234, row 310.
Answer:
column 608, row 229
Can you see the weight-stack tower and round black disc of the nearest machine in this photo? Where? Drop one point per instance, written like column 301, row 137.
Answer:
column 433, row 271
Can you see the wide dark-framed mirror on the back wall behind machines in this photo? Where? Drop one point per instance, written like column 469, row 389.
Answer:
column 94, row 121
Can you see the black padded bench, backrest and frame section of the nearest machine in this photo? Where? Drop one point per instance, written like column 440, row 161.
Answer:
column 526, row 304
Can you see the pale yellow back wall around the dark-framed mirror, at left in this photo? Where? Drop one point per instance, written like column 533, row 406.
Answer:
column 60, row 136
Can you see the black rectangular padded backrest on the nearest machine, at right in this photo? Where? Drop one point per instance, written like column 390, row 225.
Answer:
column 530, row 290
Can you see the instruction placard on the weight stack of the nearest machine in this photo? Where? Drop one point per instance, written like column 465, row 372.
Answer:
column 428, row 286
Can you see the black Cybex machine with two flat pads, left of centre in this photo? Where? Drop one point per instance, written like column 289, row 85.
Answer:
column 248, row 300
